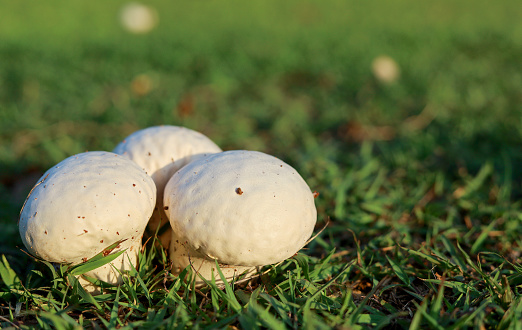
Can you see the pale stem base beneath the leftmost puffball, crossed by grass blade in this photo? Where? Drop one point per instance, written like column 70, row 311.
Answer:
column 112, row 272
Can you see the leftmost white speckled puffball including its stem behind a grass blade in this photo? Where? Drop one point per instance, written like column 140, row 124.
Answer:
column 84, row 204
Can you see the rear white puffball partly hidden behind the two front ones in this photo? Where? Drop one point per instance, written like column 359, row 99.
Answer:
column 161, row 151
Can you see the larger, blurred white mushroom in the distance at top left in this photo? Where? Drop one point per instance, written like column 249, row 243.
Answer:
column 138, row 18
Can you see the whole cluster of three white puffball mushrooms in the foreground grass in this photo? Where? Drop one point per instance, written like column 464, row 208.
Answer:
column 243, row 209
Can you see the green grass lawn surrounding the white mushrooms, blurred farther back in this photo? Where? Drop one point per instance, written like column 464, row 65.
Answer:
column 418, row 178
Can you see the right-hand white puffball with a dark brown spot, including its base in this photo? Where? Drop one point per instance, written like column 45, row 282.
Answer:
column 245, row 209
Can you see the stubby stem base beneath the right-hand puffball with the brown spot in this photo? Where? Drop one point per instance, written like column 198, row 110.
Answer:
column 183, row 256
